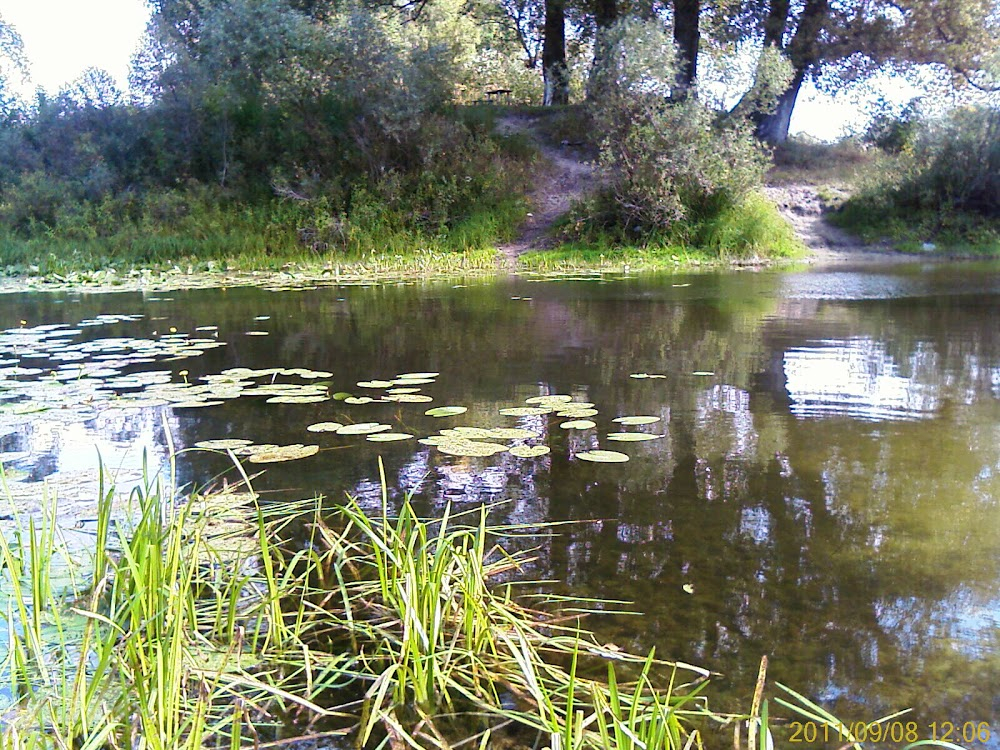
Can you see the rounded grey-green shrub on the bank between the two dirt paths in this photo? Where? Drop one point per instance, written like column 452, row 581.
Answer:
column 667, row 162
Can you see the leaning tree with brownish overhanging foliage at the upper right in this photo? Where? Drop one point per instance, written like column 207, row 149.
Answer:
column 835, row 41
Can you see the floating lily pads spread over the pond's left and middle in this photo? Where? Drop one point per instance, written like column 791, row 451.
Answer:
column 47, row 368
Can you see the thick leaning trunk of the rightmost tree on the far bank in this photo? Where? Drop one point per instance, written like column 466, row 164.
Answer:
column 804, row 52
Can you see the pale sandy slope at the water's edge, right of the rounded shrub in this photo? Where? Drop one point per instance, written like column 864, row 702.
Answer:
column 803, row 208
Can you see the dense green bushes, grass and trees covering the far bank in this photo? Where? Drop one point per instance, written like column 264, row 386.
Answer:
column 257, row 133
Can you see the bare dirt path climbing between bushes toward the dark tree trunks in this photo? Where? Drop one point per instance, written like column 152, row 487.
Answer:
column 567, row 176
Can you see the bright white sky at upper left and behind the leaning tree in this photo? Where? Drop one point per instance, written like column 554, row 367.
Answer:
column 62, row 38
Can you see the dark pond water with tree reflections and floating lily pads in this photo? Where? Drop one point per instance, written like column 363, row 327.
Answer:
column 824, row 487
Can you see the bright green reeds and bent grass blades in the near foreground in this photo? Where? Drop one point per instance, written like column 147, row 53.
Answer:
column 215, row 621
